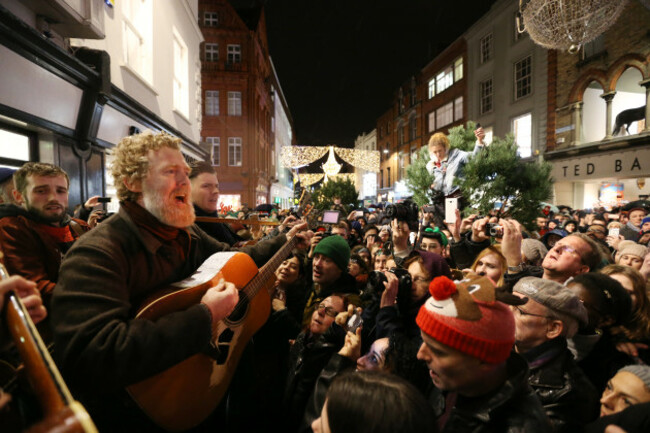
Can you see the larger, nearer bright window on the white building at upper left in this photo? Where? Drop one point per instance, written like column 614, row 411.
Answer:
column 137, row 46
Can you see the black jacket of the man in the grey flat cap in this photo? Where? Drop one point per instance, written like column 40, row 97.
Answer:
column 568, row 397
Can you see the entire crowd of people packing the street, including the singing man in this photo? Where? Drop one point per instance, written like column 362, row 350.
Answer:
column 374, row 324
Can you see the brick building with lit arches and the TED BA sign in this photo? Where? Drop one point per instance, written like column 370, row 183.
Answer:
column 587, row 91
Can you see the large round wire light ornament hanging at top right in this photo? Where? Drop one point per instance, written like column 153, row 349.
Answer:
column 567, row 24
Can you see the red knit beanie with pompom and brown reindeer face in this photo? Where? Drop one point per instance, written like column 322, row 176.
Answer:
column 466, row 316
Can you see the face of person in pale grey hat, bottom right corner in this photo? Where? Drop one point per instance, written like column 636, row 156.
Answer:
column 630, row 386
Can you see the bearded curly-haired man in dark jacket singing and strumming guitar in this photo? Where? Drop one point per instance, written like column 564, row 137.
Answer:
column 150, row 243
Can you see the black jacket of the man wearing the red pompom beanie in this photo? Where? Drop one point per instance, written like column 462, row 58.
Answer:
column 513, row 407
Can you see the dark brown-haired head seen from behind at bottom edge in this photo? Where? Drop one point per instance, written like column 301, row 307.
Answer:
column 374, row 402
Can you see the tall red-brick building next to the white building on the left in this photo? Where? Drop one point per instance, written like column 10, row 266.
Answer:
column 237, row 100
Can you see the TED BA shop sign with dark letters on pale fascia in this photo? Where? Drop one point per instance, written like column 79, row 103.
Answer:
column 630, row 163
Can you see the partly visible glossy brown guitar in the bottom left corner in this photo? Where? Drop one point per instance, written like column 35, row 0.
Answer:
column 61, row 412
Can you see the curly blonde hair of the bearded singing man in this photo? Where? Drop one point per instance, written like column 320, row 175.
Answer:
column 131, row 162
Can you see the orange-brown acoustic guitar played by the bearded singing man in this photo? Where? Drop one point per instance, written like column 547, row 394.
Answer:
column 182, row 396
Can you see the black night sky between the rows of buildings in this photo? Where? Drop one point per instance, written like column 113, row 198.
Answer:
column 340, row 61
